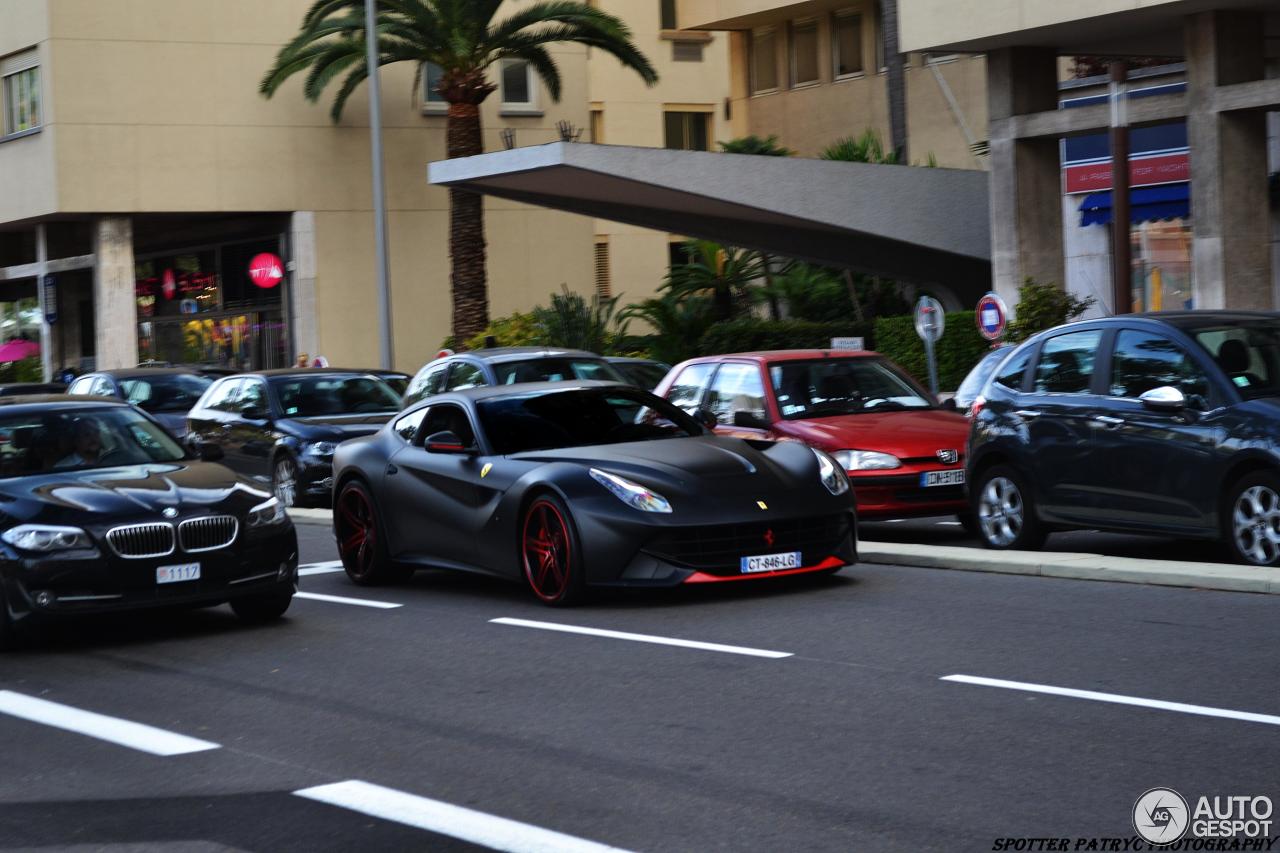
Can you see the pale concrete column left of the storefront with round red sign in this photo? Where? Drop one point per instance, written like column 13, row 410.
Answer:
column 116, row 318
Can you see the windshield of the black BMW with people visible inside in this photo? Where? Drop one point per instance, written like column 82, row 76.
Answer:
column 42, row 443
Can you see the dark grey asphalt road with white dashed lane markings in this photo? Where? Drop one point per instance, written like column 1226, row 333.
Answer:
column 852, row 742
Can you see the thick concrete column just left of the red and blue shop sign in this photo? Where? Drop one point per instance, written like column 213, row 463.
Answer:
column 1026, row 175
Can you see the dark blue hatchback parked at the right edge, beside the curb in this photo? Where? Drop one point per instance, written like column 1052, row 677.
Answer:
column 1162, row 423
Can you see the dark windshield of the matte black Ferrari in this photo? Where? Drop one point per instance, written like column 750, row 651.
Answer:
column 580, row 418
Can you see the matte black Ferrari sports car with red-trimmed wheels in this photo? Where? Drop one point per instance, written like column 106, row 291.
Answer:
column 568, row 486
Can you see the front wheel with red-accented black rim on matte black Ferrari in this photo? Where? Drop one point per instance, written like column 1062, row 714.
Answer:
column 551, row 555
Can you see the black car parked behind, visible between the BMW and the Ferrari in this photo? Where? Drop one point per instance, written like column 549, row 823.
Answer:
column 280, row 428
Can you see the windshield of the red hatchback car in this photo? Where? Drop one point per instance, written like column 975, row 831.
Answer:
column 842, row 387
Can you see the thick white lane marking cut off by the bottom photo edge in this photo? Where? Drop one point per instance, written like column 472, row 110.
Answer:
column 465, row 824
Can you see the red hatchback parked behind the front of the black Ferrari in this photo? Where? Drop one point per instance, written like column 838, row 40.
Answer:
column 903, row 451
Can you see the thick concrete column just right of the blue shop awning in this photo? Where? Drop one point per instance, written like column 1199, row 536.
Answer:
column 1231, row 212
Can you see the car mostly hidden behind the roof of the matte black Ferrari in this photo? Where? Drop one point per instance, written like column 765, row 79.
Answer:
column 508, row 367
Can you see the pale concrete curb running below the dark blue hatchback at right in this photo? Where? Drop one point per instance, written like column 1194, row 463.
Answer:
column 1081, row 567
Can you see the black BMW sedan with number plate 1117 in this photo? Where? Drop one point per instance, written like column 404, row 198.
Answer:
column 102, row 510
